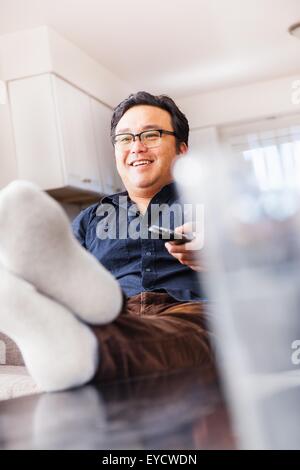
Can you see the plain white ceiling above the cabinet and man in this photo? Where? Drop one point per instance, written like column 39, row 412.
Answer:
column 172, row 46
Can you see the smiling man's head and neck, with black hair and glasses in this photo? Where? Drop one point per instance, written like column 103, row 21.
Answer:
column 145, row 163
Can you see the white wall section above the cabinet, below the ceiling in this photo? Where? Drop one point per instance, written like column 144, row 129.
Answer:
column 42, row 50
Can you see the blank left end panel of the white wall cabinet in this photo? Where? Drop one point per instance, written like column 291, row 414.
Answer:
column 38, row 147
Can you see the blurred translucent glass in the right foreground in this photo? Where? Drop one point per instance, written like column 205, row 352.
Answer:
column 252, row 245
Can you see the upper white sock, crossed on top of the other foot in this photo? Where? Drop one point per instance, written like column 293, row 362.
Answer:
column 37, row 244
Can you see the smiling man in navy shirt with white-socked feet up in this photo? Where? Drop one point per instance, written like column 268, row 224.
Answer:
column 133, row 308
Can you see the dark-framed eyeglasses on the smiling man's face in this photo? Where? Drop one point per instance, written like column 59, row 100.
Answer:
column 150, row 139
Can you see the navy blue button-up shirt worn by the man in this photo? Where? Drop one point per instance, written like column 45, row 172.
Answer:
column 116, row 233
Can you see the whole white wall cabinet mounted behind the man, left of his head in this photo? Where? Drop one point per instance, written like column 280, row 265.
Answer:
column 62, row 136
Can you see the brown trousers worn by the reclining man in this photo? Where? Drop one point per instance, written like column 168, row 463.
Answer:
column 154, row 333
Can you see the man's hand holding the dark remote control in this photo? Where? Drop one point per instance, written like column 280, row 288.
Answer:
column 188, row 253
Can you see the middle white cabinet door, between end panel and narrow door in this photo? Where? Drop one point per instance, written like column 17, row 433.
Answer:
column 80, row 153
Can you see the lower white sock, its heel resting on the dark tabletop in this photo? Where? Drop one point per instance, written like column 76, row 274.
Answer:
column 59, row 351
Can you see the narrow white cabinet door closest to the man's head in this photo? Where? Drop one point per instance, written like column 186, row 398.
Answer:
column 101, row 115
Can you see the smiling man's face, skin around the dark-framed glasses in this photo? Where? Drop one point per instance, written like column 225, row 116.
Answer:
column 153, row 176
